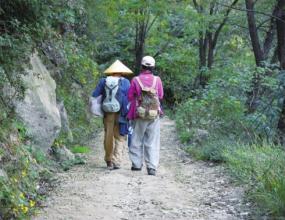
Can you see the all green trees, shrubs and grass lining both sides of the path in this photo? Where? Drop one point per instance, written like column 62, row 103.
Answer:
column 221, row 62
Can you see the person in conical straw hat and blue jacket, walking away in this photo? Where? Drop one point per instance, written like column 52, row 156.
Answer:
column 114, row 89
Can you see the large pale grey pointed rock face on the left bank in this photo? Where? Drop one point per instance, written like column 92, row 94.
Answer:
column 38, row 110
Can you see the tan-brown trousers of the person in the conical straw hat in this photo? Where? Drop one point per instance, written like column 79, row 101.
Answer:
column 114, row 143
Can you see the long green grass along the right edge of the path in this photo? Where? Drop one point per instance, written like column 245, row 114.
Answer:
column 259, row 167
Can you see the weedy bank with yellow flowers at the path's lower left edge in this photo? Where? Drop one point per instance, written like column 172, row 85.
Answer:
column 25, row 178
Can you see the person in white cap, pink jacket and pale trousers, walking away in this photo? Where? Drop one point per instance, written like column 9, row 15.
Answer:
column 144, row 95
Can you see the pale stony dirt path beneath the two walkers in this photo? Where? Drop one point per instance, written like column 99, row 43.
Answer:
column 183, row 189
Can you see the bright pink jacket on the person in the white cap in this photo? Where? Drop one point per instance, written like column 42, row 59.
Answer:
column 135, row 91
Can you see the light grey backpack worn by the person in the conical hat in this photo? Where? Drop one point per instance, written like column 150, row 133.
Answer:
column 110, row 103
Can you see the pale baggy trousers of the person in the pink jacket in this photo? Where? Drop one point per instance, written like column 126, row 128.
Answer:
column 145, row 143
